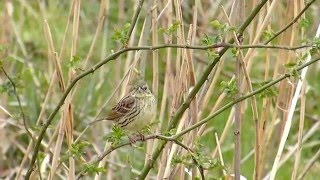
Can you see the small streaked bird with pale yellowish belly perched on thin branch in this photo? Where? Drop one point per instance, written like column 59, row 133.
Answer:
column 135, row 110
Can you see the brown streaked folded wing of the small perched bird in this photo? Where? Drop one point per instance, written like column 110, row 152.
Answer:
column 125, row 105
